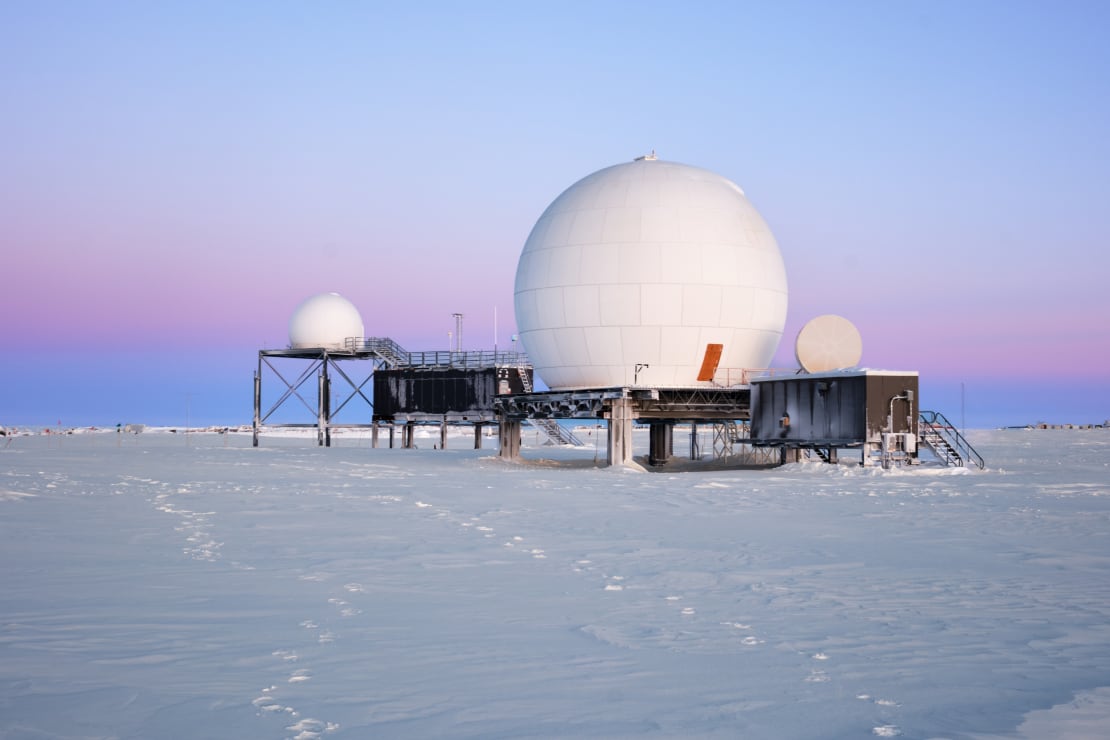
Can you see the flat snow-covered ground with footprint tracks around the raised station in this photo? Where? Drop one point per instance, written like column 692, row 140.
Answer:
column 157, row 586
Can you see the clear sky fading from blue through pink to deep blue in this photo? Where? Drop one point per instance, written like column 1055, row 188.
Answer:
column 176, row 178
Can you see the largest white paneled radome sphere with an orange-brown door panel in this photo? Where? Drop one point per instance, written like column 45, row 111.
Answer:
column 648, row 263
